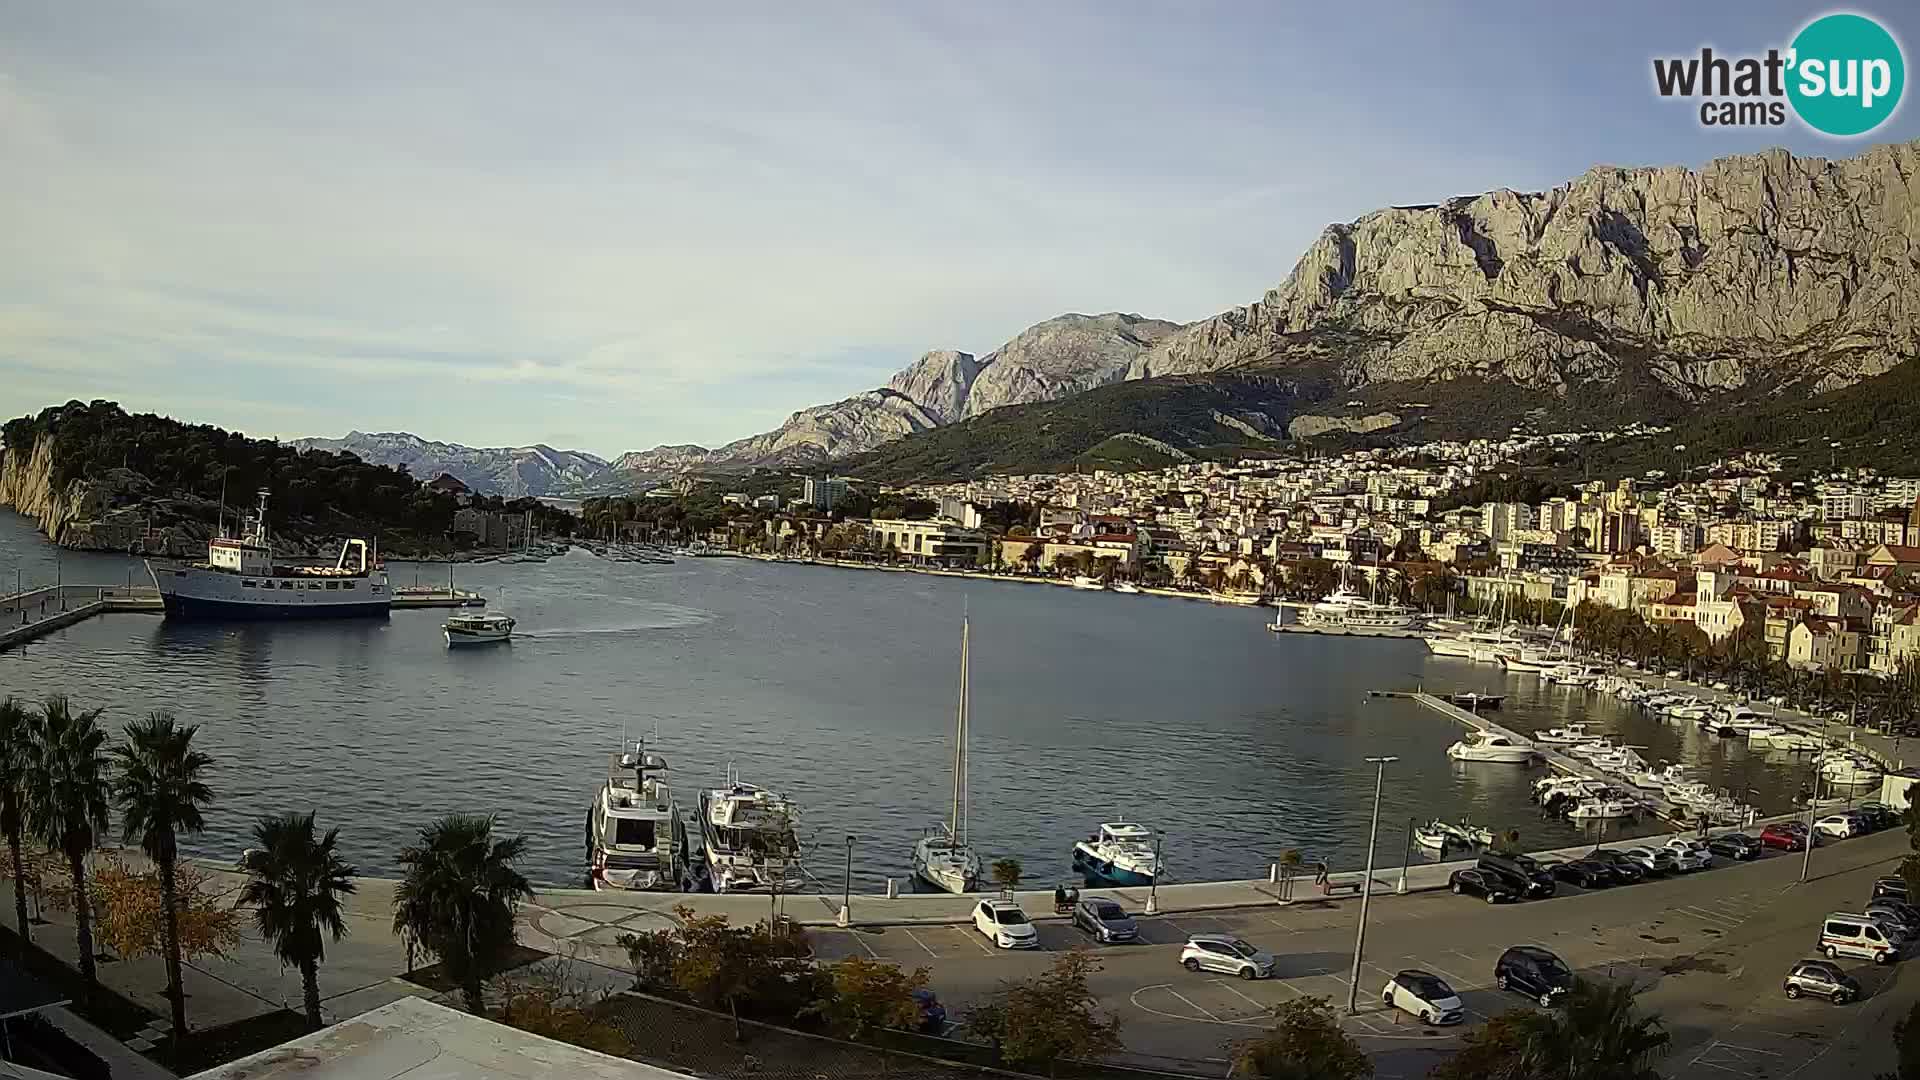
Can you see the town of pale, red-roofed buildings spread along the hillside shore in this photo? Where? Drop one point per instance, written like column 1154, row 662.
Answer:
column 1827, row 572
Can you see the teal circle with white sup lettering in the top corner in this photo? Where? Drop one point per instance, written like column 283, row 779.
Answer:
column 1846, row 76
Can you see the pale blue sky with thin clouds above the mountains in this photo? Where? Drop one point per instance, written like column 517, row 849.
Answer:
column 610, row 226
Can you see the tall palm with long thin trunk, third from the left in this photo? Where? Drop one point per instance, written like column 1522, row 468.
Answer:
column 160, row 797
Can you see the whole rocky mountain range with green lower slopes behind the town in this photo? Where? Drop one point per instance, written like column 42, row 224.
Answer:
column 1623, row 293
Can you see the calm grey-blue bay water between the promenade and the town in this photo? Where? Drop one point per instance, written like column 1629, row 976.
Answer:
column 836, row 687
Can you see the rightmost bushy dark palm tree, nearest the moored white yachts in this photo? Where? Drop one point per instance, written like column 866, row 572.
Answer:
column 462, row 898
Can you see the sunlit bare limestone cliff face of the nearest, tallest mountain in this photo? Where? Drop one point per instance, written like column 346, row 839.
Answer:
column 1756, row 274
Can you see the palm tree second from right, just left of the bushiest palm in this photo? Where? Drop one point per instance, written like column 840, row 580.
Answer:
column 297, row 885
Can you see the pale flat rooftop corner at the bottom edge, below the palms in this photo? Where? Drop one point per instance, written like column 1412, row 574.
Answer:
column 421, row 1041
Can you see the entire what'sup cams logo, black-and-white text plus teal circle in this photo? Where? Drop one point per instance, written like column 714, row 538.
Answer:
column 1842, row 76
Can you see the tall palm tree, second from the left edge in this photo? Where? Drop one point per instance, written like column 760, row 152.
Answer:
column 66, row 802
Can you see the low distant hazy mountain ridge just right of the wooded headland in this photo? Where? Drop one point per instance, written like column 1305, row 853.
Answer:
column 510, row 472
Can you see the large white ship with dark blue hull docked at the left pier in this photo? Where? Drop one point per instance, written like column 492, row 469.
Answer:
column 241, row 581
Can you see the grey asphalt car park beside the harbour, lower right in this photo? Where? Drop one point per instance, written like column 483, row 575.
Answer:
column 1708, row 952
